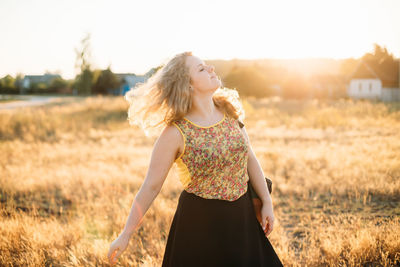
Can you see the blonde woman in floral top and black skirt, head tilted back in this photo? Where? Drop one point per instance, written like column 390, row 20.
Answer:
column 214, row 223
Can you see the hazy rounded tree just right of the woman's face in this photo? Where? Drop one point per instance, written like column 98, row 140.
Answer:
column 249, row 81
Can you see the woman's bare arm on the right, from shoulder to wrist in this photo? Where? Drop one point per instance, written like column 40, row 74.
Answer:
column 256, row 174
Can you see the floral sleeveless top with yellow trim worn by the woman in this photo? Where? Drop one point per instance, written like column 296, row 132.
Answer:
column 213, row 163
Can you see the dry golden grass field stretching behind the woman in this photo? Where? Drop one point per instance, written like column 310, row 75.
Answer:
column 69, row 173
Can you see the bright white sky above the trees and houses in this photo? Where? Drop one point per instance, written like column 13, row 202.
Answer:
column 38, row 36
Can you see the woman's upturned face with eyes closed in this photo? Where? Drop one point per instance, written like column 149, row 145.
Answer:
column 202, row 76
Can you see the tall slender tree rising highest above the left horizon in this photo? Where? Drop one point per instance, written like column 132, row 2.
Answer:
column 84, row 80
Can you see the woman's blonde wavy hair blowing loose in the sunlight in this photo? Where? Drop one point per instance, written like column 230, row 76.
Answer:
column 166, row 97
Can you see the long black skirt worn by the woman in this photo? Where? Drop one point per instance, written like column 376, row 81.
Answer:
column 214, row 232
